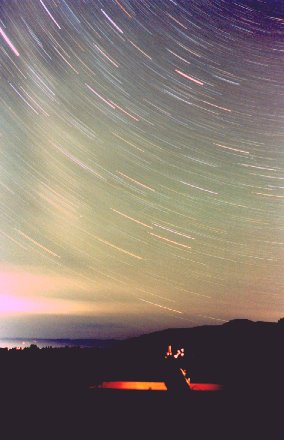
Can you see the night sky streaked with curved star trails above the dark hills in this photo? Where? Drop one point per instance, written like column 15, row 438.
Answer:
column 141, row 168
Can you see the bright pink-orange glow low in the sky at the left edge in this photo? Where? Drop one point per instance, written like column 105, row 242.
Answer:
column 32, row 292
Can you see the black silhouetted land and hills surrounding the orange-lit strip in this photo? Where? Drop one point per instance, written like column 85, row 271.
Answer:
column 46, row 393
